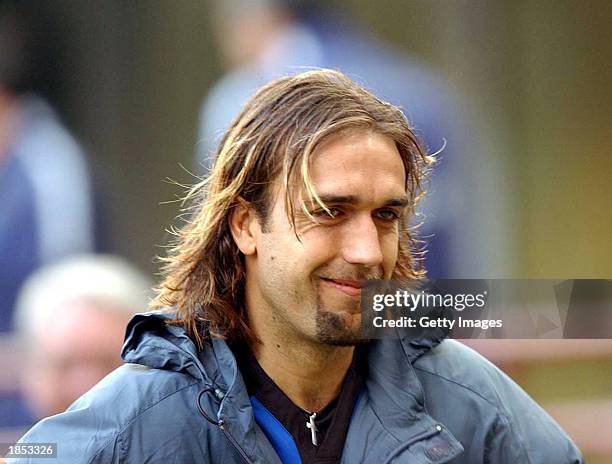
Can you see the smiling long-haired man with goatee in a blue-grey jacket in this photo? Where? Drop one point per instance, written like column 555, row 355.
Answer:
column 255, row 351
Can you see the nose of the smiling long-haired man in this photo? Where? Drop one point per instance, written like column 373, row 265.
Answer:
column 361, row 242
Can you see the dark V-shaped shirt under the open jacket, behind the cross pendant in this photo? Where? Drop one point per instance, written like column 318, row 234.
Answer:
column 331, row 422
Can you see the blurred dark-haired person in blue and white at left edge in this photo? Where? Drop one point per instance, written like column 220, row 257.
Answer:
column 46, row 199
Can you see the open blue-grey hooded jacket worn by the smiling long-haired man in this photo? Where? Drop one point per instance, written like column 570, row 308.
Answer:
column 425, row 401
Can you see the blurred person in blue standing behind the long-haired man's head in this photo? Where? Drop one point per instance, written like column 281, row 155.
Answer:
column 264, row 39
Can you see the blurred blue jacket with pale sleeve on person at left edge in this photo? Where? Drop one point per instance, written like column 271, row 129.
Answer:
column 46, row 200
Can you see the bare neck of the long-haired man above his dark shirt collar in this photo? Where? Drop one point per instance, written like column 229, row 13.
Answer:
column 310, row 374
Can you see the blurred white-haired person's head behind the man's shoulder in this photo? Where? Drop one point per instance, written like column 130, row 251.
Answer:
column 71, row 320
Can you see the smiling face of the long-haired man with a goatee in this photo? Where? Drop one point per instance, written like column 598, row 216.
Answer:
column 310, row 288
